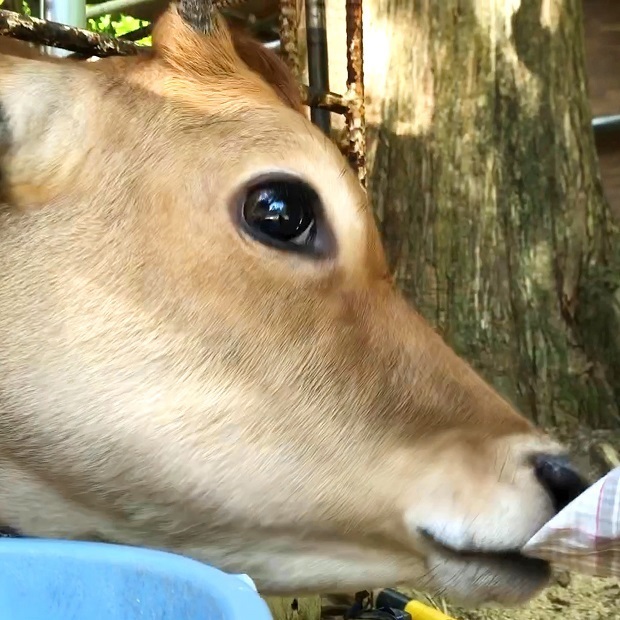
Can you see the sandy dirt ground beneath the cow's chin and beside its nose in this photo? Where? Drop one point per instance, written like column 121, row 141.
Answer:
column 571, row 597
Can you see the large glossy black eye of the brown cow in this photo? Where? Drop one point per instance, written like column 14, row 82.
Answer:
column 282, row 213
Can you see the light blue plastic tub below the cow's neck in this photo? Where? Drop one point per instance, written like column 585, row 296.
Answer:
column 67, row 580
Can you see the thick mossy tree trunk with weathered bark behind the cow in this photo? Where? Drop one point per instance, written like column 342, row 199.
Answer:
column 485, row 182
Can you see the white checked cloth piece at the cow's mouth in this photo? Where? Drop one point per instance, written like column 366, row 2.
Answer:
column 585, row 536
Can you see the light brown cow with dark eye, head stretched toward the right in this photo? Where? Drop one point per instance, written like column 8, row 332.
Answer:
column 202, row 349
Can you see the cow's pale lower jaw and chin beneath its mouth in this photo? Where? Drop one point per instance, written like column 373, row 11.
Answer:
column 283, row 566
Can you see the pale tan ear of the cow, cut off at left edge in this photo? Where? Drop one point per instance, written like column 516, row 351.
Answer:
column 42, row 125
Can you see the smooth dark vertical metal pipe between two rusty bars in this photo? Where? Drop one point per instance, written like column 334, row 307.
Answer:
column 318, row 67
